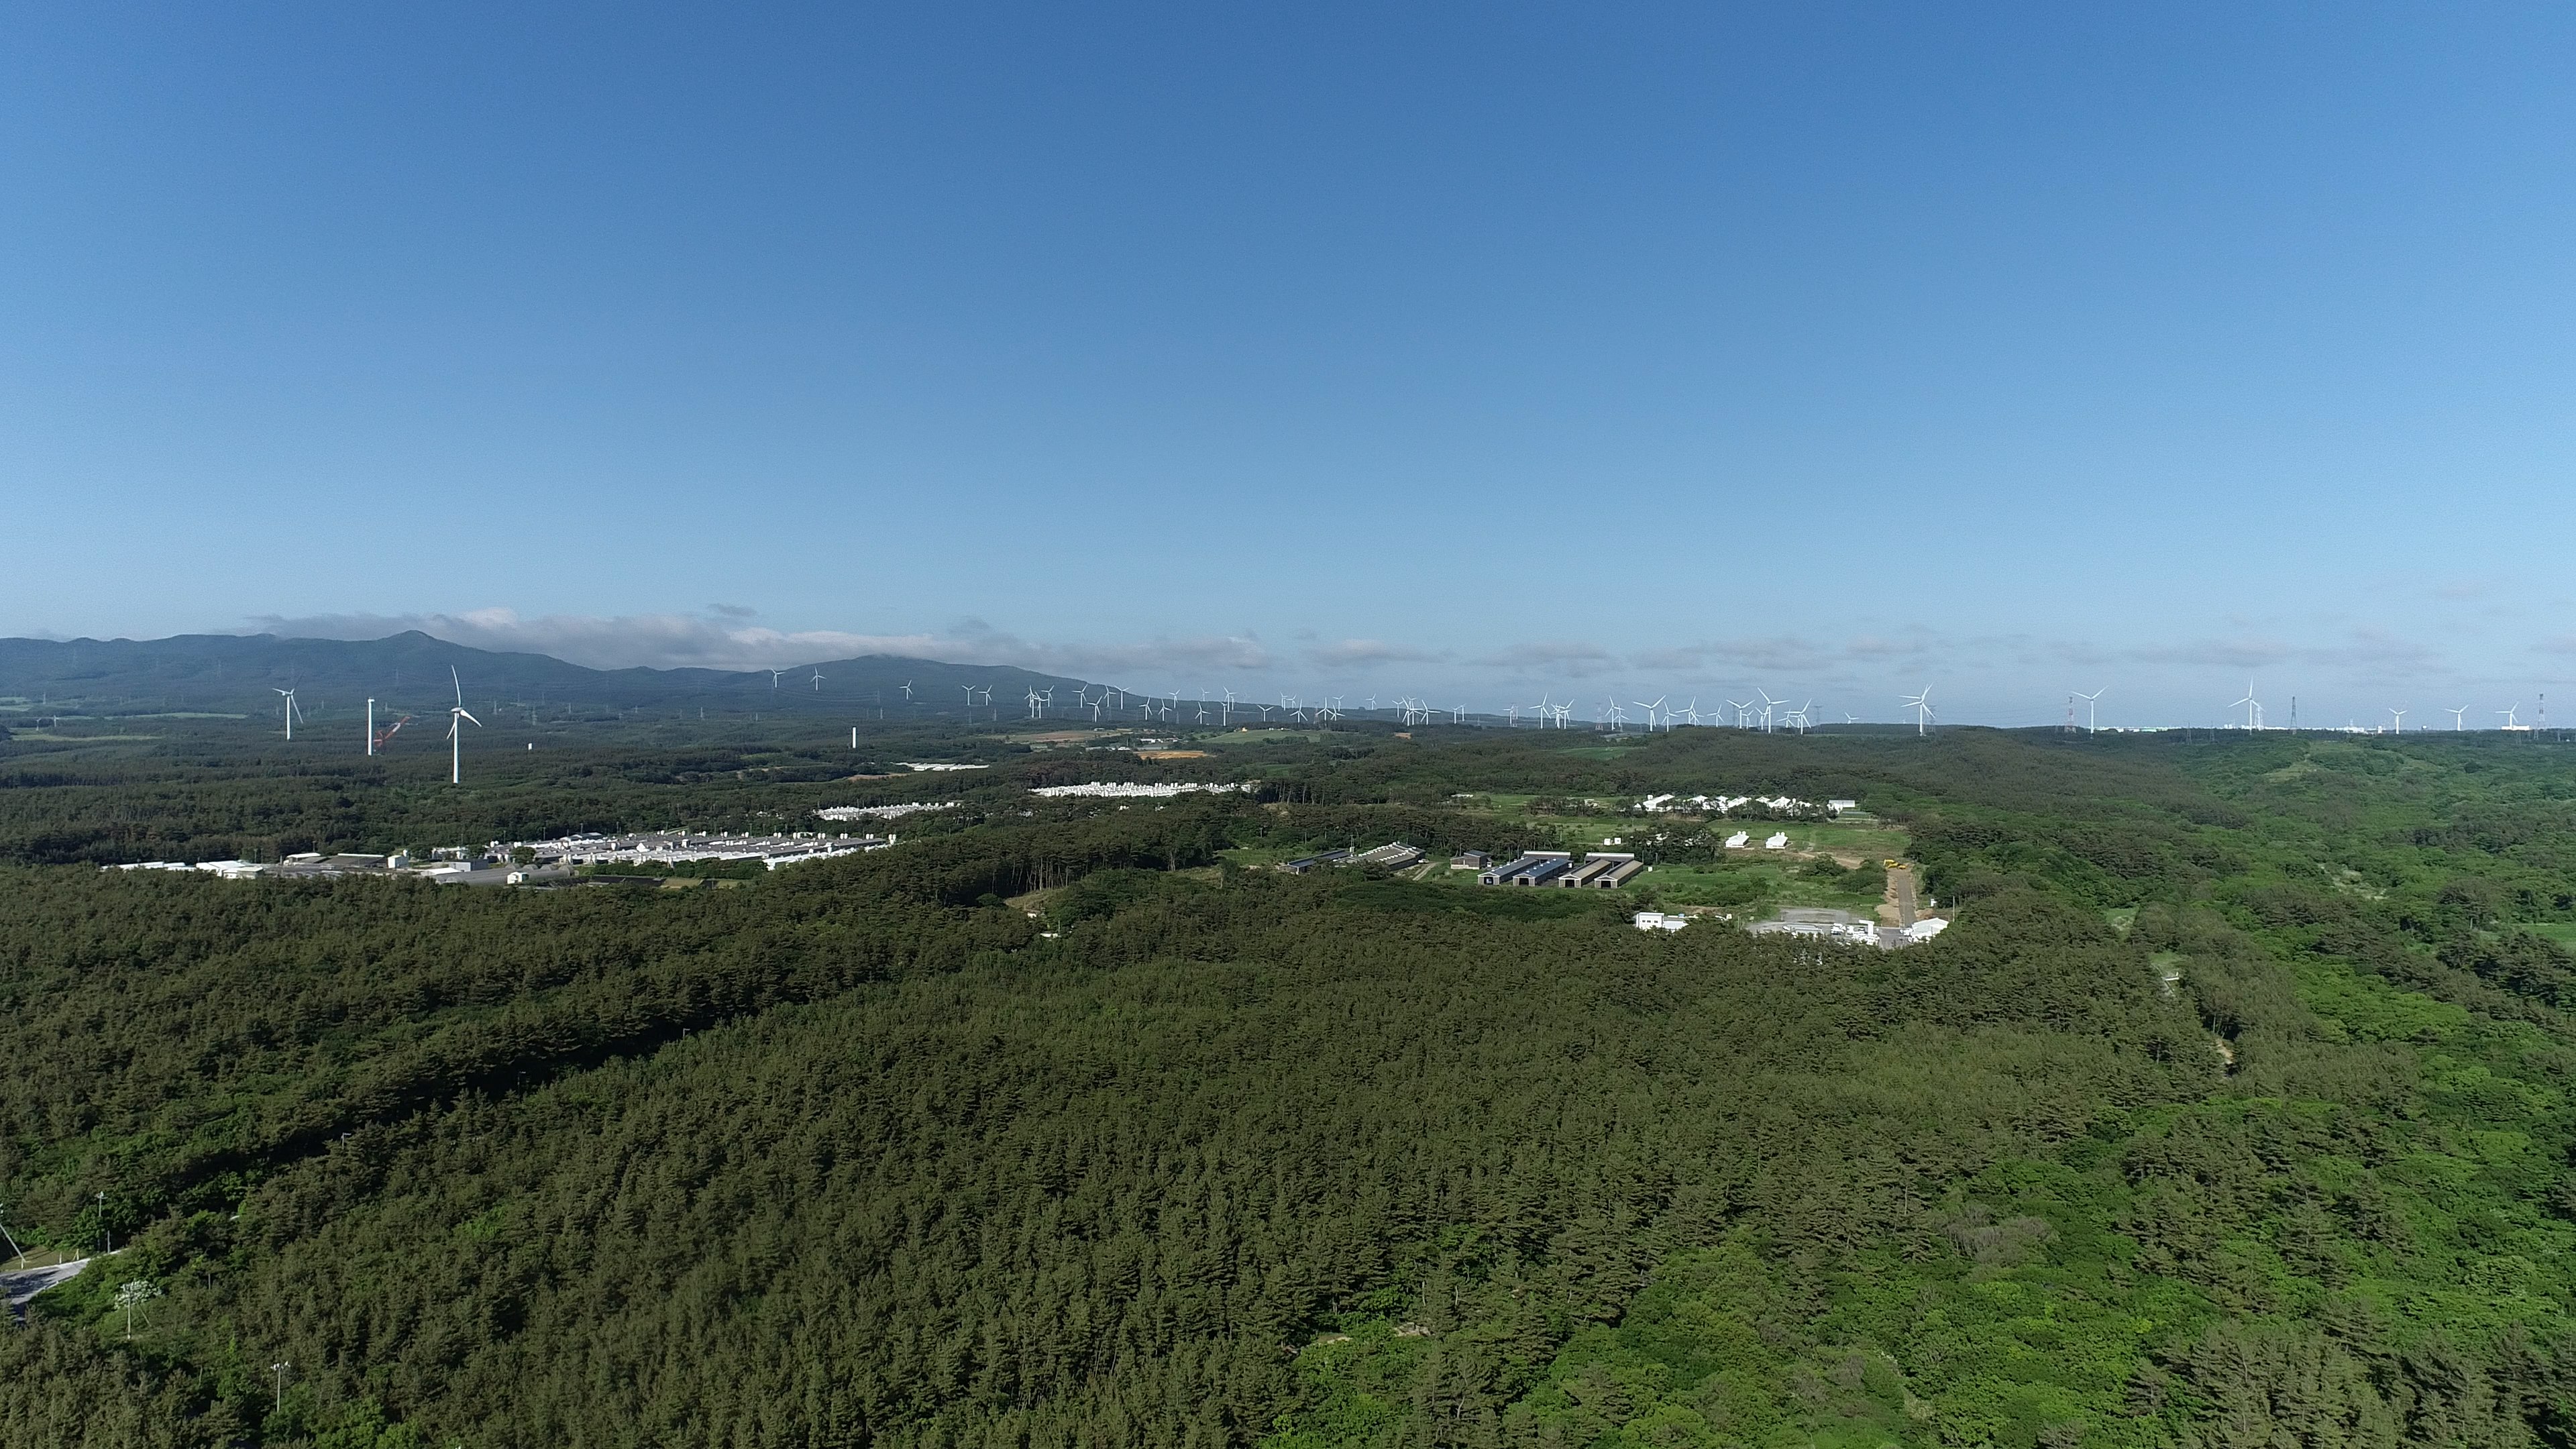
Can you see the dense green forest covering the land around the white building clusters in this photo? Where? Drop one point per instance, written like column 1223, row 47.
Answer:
column 2232, row 1110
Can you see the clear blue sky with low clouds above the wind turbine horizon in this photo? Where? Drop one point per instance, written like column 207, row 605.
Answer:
column 1382, row 349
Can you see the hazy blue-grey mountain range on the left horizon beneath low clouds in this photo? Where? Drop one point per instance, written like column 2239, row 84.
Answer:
column 241, row 674
